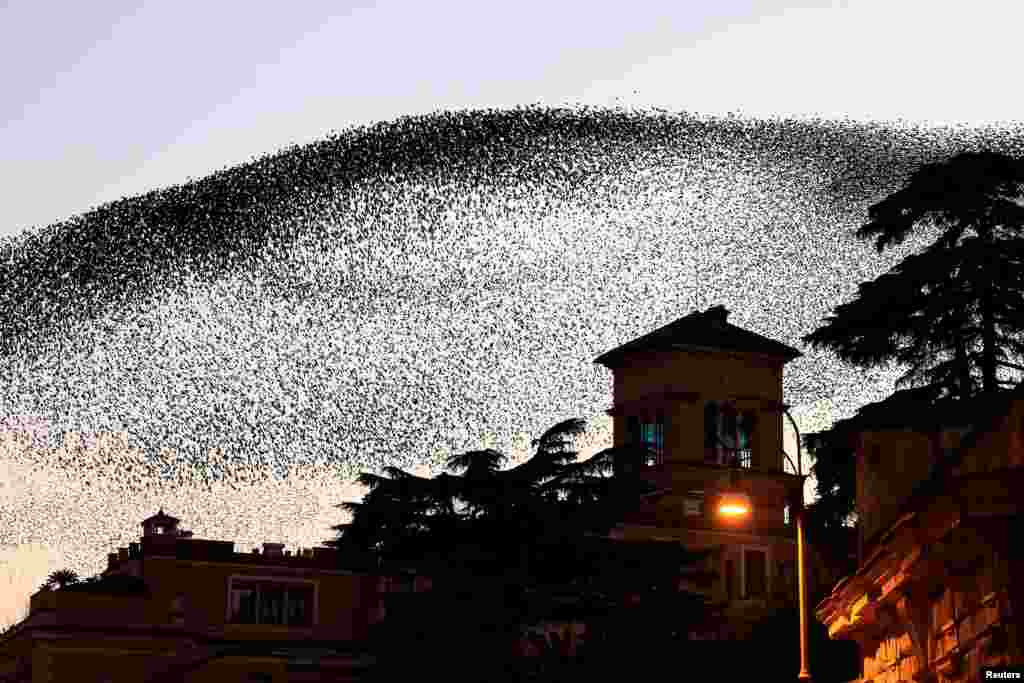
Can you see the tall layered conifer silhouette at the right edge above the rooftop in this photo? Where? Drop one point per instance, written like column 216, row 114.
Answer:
column 955, row 313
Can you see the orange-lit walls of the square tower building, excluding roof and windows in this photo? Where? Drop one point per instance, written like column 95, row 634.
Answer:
column 752, row 385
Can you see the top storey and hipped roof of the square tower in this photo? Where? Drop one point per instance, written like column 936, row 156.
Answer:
column 701, row 390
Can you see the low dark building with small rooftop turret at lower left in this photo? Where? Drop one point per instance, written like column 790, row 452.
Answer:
column 177, row 609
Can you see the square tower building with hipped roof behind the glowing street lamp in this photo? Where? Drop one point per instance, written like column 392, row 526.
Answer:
column 706, row 399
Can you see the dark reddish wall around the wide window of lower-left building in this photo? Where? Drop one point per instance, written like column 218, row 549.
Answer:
column 73, row 636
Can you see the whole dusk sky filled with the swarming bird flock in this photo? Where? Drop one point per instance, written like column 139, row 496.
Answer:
column 421, row 314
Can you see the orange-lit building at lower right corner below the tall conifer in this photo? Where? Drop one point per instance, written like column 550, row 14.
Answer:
column 938, row 593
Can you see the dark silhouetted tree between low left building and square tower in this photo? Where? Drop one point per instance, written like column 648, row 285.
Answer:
column 508, row 548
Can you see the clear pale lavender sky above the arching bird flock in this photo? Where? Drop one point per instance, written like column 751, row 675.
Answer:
column 113, row 99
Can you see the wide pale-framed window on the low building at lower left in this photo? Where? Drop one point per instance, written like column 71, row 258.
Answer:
column 272, row 603
